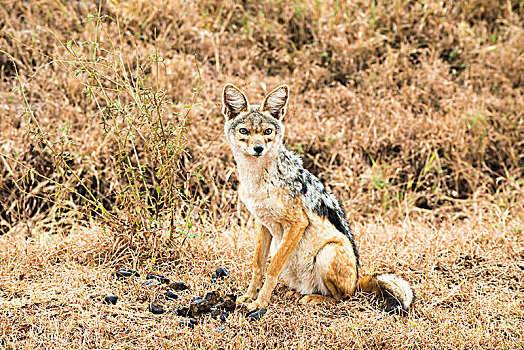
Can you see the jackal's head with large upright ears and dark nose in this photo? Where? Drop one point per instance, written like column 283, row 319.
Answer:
column 251, row 129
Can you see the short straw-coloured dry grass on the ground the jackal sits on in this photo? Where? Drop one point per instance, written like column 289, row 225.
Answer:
column 468, row 278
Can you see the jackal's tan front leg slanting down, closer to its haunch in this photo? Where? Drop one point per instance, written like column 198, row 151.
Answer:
column 290, row 239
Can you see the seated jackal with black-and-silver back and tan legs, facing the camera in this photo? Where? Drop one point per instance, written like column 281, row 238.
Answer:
column 298, row 221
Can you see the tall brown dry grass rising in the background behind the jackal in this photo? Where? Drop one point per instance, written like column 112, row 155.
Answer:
column 402, row 108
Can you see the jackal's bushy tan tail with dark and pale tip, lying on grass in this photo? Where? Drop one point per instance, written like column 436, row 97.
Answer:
column 396, row 291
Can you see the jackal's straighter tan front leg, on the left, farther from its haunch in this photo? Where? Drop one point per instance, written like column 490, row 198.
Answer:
column 259, row 264
